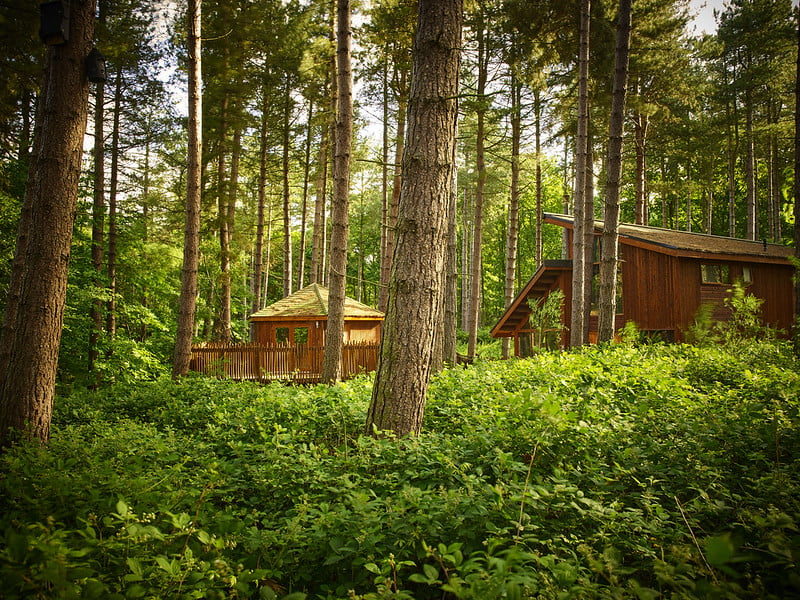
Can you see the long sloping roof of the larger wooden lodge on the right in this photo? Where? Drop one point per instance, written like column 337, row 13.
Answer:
column 670, row 241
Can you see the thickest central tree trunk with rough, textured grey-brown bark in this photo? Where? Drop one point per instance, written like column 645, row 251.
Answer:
column 415, row 291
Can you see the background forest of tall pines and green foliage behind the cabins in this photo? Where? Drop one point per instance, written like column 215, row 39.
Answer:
column 708, row 147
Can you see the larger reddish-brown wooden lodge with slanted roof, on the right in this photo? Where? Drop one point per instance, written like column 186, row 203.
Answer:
column 664, row 278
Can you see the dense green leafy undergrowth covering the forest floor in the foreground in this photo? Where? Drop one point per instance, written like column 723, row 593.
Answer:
column 654, row 472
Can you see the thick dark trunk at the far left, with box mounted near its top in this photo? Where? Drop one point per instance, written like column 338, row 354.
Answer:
column 35, row 309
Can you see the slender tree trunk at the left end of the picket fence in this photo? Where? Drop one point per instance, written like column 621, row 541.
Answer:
column 191, row 240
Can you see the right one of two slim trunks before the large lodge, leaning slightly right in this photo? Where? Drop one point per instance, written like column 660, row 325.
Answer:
column 610, row 256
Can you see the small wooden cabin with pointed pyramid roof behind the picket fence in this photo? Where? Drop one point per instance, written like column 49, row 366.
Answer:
column 302, row 318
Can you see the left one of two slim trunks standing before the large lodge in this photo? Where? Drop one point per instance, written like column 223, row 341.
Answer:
column 577, row 321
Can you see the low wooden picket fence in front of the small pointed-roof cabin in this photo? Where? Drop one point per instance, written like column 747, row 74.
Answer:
column 298, row 363
